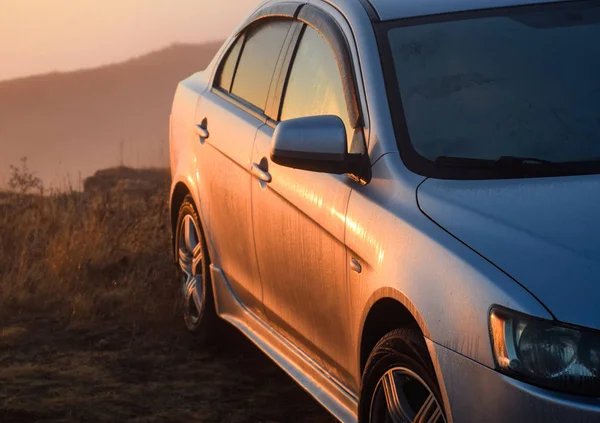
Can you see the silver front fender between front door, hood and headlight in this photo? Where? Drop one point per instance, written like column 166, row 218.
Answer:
column 447, row 286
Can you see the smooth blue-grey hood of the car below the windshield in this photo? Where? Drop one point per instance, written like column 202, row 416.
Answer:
column 543, row 232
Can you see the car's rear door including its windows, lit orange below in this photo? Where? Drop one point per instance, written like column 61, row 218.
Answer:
column 227, row 118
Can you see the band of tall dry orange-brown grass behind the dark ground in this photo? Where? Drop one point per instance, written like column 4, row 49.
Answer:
column 99, row 254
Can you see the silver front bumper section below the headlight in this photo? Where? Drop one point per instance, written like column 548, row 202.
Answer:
column 476, row 393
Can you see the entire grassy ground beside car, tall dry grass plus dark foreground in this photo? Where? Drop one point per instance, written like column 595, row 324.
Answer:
column 89, row 322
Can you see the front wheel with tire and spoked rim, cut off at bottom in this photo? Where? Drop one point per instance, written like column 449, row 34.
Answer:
column 399, row 382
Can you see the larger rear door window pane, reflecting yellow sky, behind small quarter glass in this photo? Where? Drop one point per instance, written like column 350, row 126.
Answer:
column 257, row 63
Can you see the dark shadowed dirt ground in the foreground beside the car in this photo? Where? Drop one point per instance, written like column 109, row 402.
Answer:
column 52, row 371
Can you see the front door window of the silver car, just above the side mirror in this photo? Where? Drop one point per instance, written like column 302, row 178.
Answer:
column 314, row 86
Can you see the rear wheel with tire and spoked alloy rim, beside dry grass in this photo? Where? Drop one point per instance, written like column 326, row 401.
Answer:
column 193, row 272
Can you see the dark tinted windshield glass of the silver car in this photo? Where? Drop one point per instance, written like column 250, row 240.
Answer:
column 519, row 82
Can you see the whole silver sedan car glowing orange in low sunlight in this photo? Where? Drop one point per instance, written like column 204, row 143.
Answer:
column 399, row 203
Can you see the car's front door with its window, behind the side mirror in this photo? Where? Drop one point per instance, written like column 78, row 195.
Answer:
column 299, row 219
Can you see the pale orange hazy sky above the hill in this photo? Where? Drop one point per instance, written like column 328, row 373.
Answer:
column 39, row 36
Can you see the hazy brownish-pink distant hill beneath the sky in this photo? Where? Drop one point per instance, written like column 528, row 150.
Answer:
column 81, row 121
